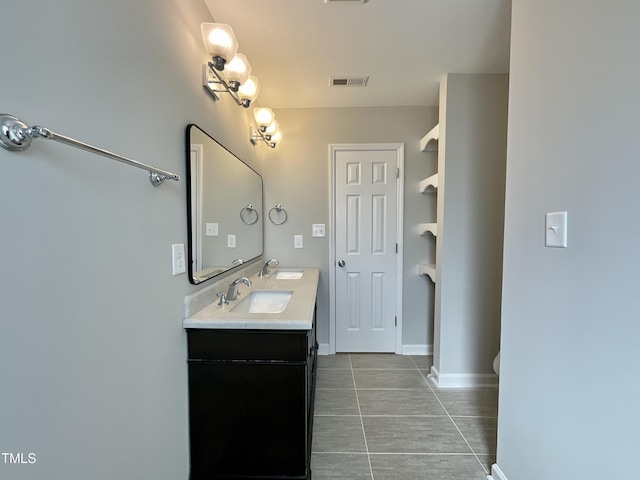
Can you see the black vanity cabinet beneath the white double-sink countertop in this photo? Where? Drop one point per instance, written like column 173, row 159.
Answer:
column 251, row 395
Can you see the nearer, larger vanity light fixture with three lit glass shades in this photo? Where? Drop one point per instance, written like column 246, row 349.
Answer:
column 228, row 71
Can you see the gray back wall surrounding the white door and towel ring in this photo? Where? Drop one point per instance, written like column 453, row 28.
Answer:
column 296, row 175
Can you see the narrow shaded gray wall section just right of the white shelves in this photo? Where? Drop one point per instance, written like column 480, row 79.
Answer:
column 471, row 176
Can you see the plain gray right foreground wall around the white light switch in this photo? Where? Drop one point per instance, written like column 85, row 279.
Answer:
column 569, row 393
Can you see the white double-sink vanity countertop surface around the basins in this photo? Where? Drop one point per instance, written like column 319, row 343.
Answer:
column 298, row 315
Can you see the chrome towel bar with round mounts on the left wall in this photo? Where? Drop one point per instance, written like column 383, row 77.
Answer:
column 16, row 136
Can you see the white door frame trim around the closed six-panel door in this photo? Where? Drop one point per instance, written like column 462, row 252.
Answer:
column 333, row 149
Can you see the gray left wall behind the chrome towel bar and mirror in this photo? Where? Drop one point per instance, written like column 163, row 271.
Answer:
column 94, row 376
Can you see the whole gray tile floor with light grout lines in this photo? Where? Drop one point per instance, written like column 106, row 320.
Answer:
column 376, row 418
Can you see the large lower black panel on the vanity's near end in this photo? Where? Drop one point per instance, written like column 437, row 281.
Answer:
column 247, row 418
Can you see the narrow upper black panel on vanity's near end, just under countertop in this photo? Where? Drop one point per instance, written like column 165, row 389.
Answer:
column 274, row 345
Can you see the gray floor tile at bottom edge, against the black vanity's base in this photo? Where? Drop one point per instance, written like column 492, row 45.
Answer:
column 340, row 466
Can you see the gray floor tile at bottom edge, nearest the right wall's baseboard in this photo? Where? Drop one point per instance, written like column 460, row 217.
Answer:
column 431, row 467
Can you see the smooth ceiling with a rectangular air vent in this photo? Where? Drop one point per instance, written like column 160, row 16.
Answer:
column 403, row 46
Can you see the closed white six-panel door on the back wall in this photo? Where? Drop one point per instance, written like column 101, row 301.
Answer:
column 365, row 250
